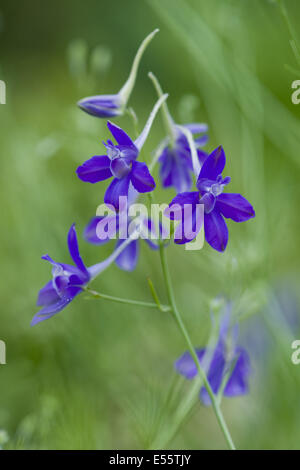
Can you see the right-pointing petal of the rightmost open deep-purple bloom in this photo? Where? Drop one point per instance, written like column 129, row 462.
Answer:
column 235, row 207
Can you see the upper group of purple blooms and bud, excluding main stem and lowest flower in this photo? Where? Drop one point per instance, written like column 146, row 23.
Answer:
column 181, row 159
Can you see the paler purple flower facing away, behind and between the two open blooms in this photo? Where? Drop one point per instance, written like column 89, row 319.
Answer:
column 176, row 161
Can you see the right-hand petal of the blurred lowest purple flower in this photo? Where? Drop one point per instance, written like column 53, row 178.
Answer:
column 238, row 381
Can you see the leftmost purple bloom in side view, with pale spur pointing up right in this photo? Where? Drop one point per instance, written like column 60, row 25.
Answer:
column 67, row 280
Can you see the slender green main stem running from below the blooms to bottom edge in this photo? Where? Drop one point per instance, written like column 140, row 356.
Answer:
column 189, row 343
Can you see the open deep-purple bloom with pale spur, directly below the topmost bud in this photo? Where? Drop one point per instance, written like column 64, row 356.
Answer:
column 121, row 163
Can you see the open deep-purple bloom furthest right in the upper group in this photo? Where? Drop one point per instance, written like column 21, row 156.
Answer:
column 217, row 206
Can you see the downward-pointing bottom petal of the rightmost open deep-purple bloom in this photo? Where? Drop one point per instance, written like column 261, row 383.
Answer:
column 216, row 232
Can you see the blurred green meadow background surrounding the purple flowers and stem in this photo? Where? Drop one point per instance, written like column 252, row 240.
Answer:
column 98, row 375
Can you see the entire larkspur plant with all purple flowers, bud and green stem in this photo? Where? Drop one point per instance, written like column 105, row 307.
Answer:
column 199, row 203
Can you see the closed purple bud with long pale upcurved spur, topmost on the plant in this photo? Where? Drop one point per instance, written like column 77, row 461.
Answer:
column 107, row 106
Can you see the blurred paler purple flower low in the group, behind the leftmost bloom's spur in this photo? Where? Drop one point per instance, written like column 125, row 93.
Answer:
column 128, row 258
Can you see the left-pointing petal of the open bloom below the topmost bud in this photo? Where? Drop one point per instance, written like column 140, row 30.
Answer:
column 95, row 169
